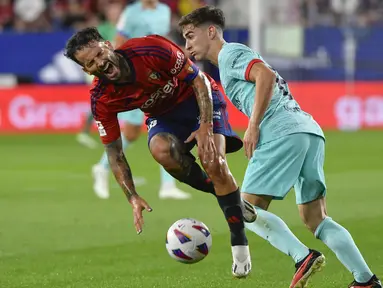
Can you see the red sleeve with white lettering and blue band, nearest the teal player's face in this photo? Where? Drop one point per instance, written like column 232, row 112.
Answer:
column 171, row 59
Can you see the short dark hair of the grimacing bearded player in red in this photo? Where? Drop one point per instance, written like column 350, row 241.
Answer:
column 81, row 39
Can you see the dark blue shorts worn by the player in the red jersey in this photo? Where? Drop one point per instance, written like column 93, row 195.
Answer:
column 184, row 119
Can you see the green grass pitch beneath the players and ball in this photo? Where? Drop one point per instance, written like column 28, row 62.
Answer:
column 55, row 233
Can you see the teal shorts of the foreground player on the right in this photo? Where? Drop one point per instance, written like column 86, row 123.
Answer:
column 294, row 160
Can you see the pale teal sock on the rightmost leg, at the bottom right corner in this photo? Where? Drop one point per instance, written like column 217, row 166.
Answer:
column 339, row 240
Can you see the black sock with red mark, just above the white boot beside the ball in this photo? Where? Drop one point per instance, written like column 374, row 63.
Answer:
column 231, row 207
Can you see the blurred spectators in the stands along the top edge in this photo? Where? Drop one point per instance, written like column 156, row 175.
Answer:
column 52, row 15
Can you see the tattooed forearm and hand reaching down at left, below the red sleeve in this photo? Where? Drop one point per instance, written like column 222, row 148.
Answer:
column 123, row 175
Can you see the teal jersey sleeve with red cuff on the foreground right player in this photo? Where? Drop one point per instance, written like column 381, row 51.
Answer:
column 239, row 60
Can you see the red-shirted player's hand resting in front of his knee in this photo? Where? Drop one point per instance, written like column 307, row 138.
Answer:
column 205, row 142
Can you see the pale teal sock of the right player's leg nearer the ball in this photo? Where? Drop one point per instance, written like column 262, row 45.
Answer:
column 273, row 229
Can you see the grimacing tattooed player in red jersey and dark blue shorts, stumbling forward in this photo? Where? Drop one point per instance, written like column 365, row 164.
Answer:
column 184, row 107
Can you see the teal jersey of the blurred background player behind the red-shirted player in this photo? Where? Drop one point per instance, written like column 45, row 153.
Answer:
column 138, row 22
